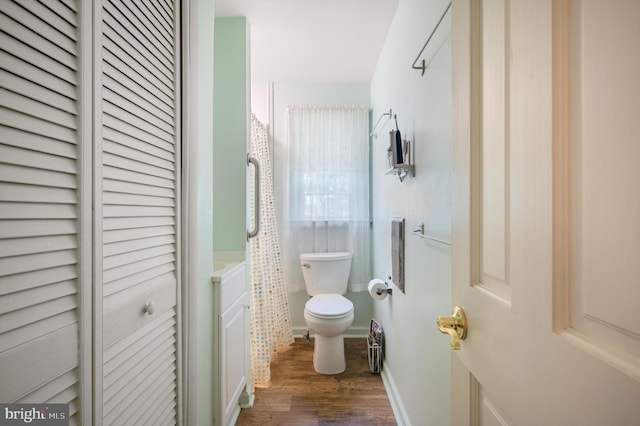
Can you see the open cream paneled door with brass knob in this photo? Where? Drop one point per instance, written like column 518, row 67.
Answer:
column 547, row 212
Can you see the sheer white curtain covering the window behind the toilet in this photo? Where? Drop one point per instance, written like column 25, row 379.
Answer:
column 328, row 189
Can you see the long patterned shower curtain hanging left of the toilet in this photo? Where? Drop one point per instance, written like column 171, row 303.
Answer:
column 270, row 317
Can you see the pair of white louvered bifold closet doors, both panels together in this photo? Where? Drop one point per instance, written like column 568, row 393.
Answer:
column 90, row 208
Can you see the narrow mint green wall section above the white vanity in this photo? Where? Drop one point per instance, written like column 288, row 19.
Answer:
column 230, row 133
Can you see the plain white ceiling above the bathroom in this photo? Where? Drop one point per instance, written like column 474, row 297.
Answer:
column 313, row 40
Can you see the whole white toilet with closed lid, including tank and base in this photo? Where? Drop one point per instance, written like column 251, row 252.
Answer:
column 328, row 313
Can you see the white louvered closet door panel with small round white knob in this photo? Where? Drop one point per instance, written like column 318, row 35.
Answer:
column 139, row 191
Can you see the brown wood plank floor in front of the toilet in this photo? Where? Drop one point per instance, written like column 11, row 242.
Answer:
column 300, row 396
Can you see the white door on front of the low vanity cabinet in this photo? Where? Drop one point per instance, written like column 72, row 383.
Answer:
column 234, row 347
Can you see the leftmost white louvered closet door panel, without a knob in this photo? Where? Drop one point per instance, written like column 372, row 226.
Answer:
column 42, row 212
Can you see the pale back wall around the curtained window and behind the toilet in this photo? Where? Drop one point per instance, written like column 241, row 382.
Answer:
column 314, row 94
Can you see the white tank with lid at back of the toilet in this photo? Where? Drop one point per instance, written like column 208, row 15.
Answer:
column 326, row 273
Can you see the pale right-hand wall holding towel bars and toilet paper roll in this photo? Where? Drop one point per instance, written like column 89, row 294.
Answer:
column 417, row 364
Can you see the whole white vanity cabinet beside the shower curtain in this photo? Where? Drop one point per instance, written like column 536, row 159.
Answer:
column 231, row 340
